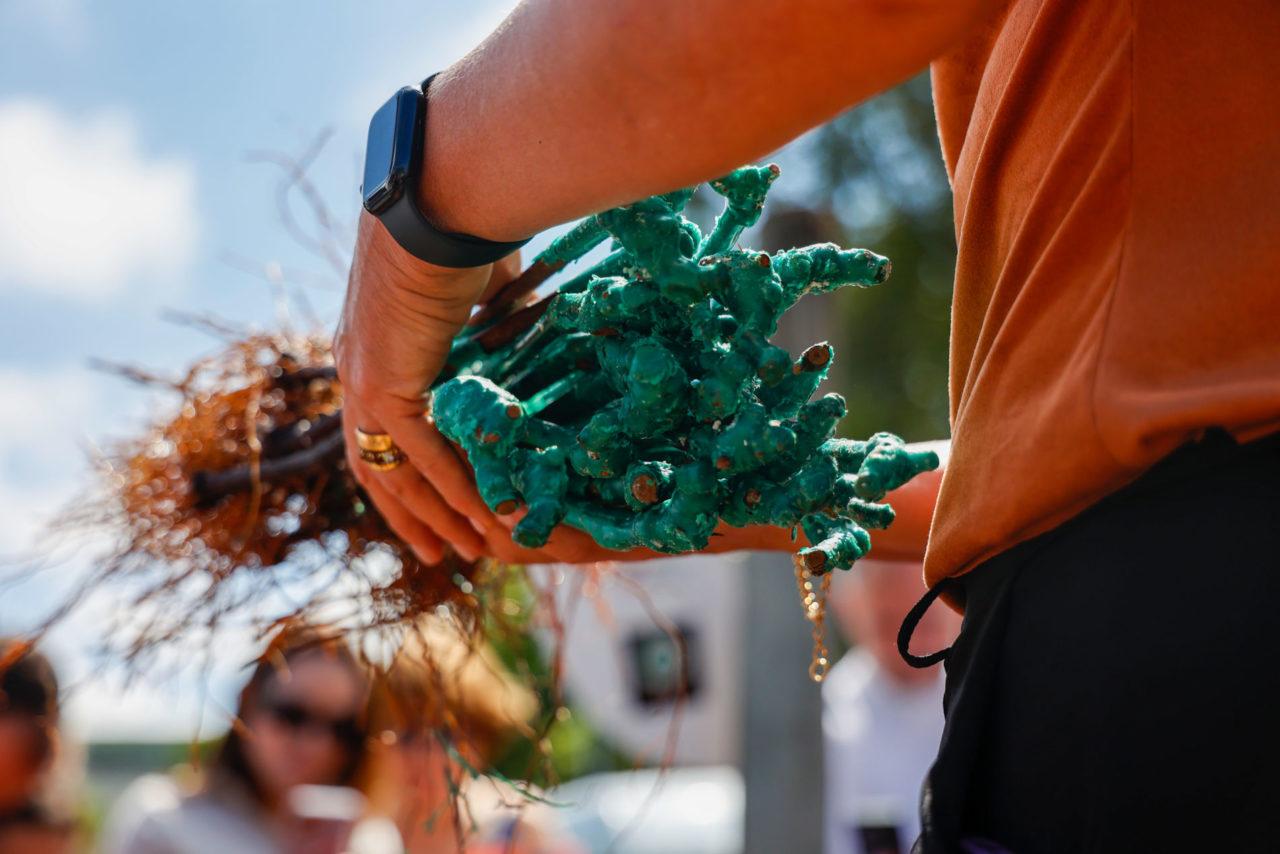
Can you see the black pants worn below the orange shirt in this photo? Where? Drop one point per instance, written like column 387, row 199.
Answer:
column 1117, row 682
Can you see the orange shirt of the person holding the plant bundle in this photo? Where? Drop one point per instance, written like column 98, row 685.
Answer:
column 1117, row 175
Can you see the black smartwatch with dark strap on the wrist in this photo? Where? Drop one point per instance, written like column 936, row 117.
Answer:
column 394, row 167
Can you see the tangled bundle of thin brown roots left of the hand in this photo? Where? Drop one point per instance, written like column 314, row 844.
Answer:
column 243, row 495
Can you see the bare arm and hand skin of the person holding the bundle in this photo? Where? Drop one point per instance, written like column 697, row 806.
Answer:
column 671, row 104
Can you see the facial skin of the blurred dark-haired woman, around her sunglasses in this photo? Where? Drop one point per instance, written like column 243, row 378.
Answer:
column 282, row 757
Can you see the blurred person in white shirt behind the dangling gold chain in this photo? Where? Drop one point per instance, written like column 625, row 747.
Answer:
column 883, row 719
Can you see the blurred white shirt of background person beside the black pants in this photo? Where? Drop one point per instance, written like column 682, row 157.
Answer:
column 880, row 739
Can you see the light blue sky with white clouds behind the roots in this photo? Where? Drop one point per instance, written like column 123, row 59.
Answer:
column 132, row 184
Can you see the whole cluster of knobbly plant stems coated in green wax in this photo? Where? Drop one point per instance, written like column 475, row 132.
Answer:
column 648, row 405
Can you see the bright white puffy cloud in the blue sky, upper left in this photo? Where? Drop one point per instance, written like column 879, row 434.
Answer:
column 83, row 209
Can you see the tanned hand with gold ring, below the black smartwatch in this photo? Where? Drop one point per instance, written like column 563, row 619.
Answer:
column 397, row 323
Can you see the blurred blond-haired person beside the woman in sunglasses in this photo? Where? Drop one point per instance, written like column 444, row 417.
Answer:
column 442, row 714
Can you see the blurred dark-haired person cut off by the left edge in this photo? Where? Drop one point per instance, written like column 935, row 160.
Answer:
column 33, row 819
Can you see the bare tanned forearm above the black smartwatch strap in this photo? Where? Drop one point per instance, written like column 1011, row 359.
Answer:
column 572, row 108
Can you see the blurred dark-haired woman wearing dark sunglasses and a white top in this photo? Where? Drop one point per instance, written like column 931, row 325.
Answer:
column 287, row 777
